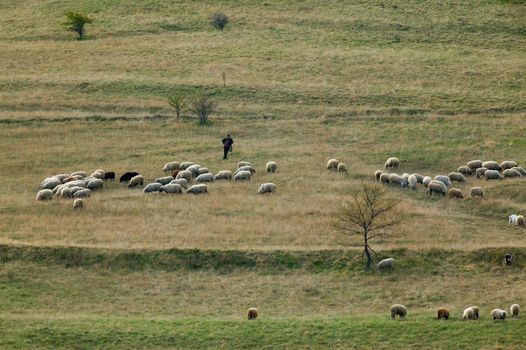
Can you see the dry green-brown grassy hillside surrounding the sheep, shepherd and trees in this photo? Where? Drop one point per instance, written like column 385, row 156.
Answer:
column 434, row 83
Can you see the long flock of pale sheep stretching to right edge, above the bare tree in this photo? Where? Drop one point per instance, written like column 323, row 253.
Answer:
column 442, row 184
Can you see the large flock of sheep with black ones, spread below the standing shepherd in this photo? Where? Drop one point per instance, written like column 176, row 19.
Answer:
column 79, row 185
